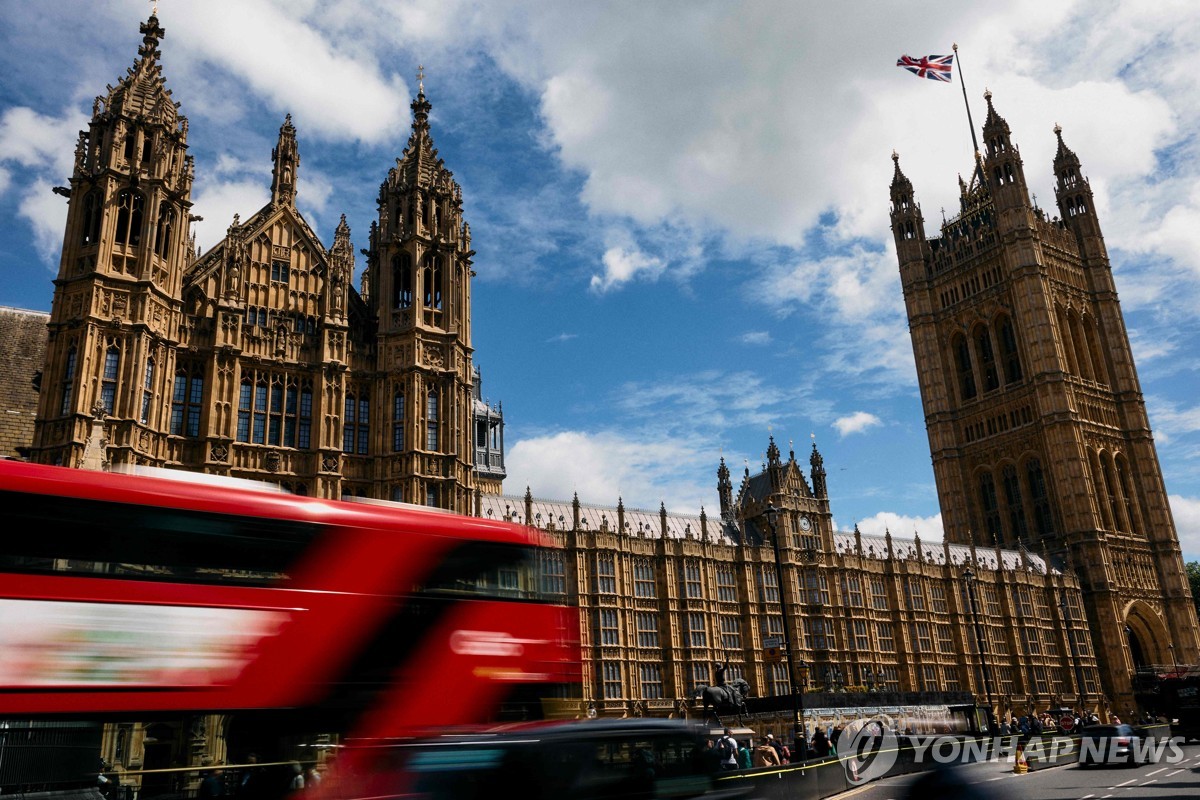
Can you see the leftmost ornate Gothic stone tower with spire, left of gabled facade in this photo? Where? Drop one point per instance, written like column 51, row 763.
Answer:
column 118, row 311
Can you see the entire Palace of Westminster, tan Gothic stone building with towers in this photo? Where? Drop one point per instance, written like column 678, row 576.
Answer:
column 261, row 359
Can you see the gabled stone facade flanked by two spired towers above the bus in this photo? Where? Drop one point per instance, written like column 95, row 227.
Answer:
column 260, row 359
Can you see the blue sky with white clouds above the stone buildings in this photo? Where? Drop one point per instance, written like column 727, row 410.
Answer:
column 680, row 209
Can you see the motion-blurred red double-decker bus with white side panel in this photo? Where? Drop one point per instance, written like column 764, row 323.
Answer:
column 137, row 596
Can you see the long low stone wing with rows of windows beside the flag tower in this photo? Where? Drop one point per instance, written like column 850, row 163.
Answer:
column 664, row 598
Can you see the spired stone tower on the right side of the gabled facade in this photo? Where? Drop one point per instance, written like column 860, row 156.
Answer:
column 418, row 288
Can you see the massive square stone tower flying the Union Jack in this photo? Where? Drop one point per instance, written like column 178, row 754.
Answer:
column 1036, row 420
